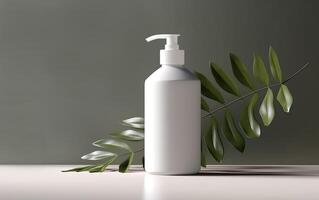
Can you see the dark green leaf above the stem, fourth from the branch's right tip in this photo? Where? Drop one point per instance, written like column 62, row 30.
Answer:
column 223, row 80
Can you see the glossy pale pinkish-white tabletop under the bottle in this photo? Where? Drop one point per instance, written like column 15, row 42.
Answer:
column 216, row 182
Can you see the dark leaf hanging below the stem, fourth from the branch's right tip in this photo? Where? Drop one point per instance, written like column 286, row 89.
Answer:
column 232, row 132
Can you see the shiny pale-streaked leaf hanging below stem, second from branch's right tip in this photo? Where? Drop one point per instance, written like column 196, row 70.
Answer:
column 267, row 110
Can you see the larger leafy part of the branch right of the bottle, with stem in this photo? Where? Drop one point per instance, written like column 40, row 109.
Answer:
column 247, row 124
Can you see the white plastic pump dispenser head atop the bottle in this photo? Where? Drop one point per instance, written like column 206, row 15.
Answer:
column 171, row 55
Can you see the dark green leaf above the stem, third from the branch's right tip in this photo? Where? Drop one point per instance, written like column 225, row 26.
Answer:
column 240, row 71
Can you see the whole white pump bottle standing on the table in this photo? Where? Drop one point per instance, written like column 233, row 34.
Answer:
column 172, row 114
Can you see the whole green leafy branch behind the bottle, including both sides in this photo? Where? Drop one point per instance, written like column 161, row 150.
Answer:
column 232, row 129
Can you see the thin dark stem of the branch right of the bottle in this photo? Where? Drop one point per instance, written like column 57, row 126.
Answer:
column 255, row 91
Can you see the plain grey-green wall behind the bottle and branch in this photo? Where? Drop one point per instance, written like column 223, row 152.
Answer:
column 70, row 70
